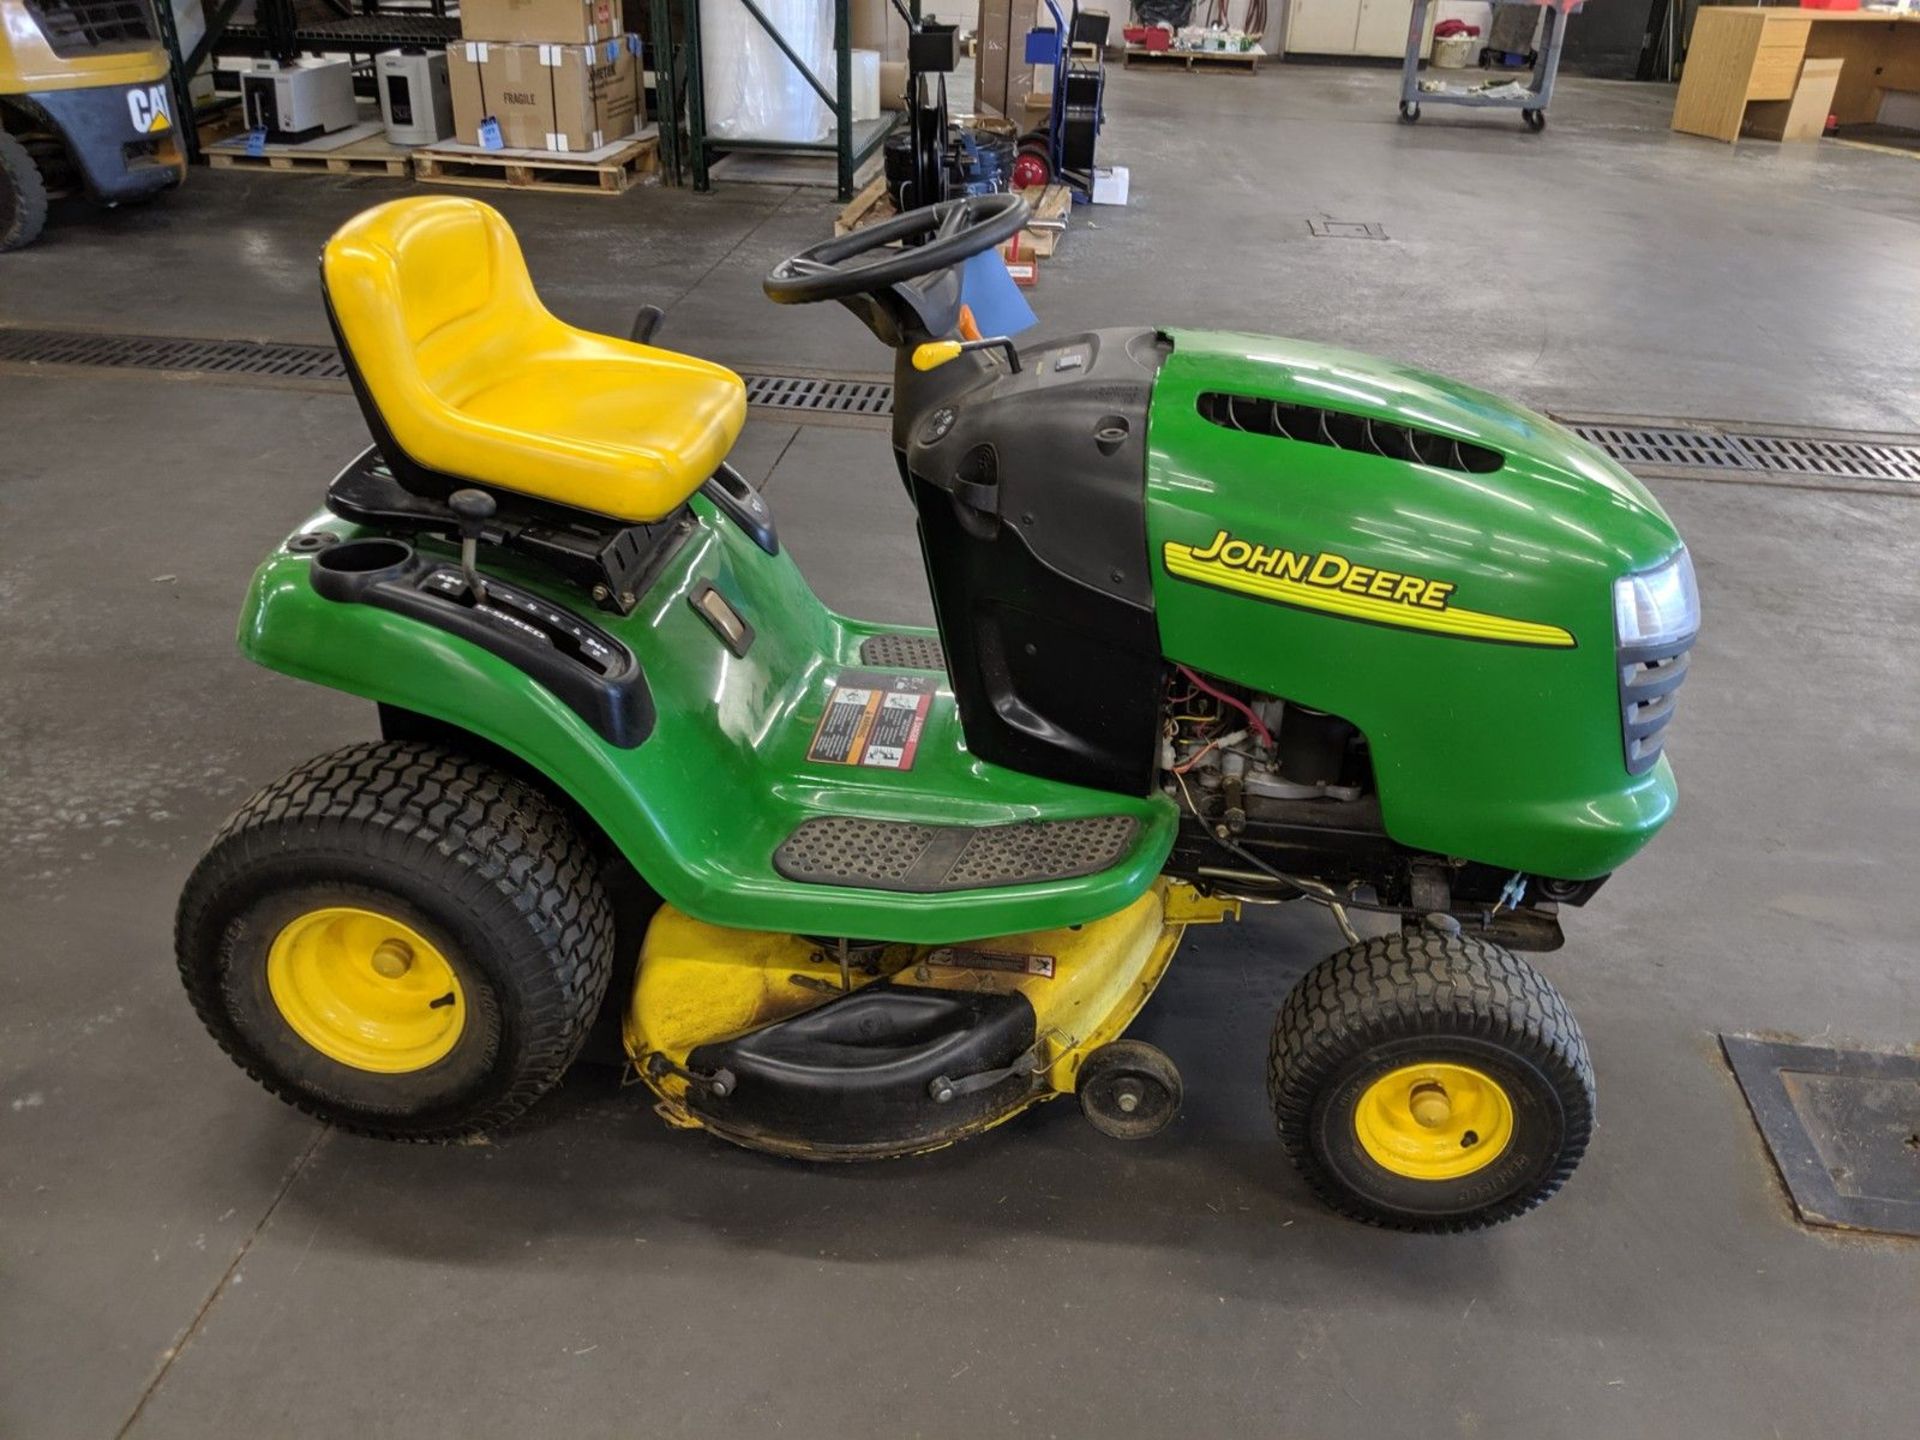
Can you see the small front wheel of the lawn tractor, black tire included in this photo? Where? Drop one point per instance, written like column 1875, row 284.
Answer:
column 1431, row 1082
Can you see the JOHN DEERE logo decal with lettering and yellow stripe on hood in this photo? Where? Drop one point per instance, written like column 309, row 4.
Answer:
column 1333, row 585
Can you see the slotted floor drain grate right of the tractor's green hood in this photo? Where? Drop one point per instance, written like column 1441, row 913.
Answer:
column 1756, row 452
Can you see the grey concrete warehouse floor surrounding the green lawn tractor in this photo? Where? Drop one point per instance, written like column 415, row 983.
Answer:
column 183, row 1257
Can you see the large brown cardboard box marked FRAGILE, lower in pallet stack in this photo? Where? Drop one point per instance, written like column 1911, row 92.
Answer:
column 562, row 99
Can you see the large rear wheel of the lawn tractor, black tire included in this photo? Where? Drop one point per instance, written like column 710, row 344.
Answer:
column 400, row 942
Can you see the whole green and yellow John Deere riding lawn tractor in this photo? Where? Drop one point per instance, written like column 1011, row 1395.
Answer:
column 1224, row 621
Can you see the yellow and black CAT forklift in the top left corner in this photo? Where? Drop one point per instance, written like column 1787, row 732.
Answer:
column 85, row 105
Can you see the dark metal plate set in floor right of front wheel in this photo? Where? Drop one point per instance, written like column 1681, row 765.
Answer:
column 1842, row 1126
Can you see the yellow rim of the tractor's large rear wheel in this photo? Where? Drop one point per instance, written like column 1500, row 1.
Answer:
column 366, row 990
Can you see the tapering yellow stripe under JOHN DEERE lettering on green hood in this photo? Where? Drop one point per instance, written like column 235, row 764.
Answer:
column 1333, row 594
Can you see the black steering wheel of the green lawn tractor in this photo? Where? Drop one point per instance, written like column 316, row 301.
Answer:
column 861, row 262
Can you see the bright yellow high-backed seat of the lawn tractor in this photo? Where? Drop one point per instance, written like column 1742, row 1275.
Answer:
column 471, row 381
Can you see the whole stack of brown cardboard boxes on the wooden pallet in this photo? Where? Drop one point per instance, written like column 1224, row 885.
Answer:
column 558, row 76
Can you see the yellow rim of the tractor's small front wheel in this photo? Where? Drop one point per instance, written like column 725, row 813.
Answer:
column 1435, row 1122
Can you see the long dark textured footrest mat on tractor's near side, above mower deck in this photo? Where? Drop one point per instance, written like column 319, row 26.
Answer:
column 898, row 855
